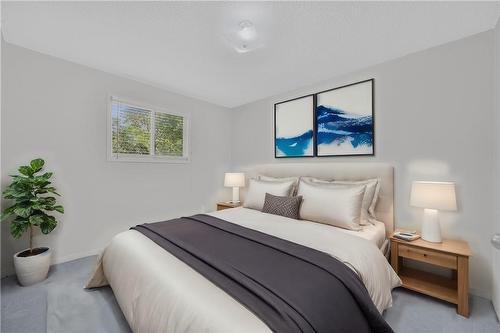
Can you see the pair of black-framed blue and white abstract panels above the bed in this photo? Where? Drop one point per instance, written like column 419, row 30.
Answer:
column 336, row 122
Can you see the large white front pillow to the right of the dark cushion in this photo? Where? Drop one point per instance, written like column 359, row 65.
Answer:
column 334, row 204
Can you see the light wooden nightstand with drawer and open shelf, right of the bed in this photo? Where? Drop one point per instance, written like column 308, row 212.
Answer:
column 451, row 254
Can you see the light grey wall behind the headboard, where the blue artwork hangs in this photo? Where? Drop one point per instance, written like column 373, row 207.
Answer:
column 433, row 121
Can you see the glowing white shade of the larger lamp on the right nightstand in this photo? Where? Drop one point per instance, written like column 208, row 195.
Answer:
column 433, row 195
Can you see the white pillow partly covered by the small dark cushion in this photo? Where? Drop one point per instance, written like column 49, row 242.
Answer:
column 257, row 189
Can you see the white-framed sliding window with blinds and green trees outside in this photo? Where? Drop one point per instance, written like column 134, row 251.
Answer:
column 146, row 134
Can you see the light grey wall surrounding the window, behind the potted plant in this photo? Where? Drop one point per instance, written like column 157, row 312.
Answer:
column 57, row 110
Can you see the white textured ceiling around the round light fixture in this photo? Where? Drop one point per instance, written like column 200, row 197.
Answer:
column 183, row 46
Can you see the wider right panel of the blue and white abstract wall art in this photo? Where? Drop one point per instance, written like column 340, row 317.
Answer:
column 344, row 118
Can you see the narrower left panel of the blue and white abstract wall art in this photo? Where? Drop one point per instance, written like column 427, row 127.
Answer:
column 294, row 128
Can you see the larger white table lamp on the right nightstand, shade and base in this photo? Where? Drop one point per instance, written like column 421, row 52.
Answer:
column 433, row 196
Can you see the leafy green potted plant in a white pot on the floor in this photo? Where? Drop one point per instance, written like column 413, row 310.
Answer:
column 34, row 202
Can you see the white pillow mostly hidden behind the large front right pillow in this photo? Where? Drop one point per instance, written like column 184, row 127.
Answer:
column 369, row 199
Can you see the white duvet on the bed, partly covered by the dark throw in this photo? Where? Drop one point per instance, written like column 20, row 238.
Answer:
column 159, row 293
